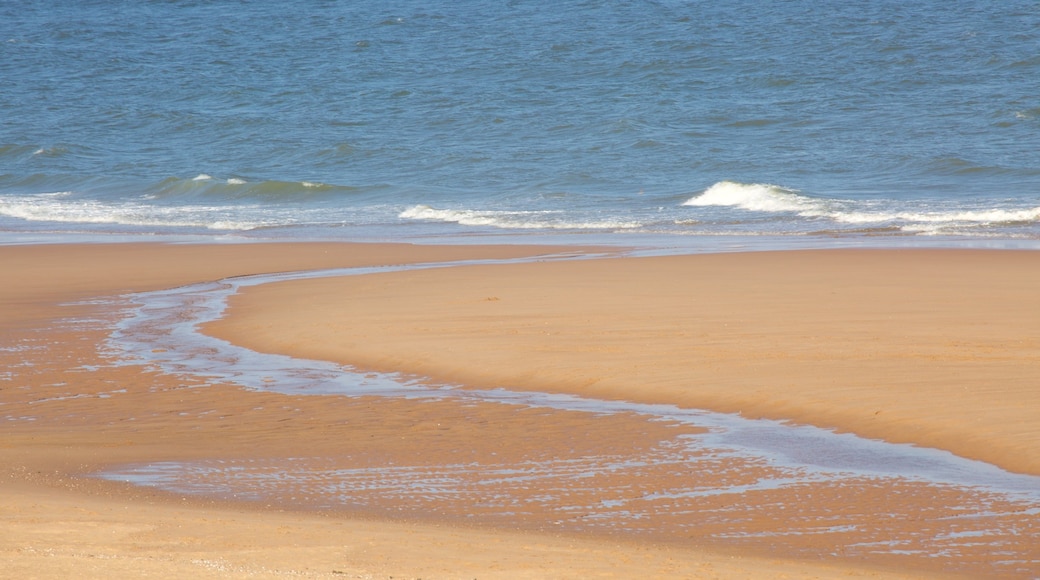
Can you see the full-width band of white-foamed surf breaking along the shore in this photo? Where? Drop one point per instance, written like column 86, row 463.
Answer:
column 205, row 202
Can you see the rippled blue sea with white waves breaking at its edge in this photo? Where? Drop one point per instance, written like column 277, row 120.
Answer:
column 673, row 122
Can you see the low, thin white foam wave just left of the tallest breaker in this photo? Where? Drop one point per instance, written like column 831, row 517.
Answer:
column 530, row 220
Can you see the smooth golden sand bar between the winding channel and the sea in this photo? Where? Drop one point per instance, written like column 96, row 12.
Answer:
column 941, row 349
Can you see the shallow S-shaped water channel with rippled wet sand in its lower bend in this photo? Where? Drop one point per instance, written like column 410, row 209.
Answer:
column 798, row 490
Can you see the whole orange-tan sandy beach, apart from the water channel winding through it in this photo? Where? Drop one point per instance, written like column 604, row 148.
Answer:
column 938, row 349
